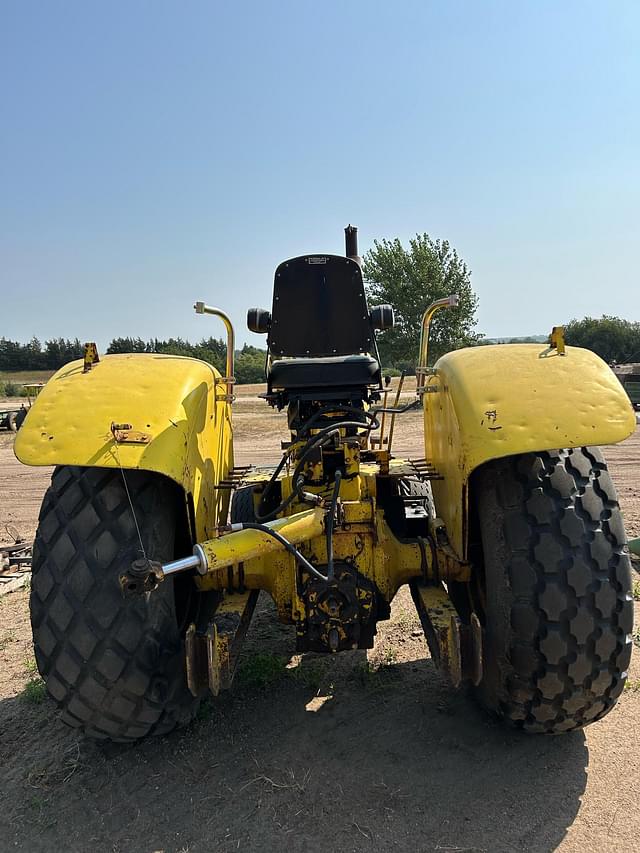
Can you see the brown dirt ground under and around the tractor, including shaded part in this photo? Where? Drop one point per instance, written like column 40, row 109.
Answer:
column 365, row 751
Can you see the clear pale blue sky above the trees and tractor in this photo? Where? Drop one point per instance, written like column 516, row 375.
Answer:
column 154, row 153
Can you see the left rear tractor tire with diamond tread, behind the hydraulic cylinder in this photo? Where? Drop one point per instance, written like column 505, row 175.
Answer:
column 114, row 665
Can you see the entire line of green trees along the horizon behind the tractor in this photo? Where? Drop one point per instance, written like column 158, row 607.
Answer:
column 409, row 278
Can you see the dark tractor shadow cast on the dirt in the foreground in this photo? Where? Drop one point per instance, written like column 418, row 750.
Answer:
column 329, row 755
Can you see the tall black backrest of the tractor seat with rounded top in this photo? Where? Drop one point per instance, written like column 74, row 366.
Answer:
column 319, row 309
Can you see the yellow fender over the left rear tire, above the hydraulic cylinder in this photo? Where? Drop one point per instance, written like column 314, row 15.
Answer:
column 159, row 413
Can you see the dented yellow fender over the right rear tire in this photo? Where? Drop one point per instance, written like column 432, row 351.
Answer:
column 489, row 402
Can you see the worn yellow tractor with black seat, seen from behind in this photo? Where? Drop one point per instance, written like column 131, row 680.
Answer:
column 507, row 529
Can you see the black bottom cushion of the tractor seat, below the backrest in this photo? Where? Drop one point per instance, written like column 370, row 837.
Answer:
column 335, row 372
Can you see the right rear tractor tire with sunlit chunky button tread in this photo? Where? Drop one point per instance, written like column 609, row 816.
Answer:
column 554, row 591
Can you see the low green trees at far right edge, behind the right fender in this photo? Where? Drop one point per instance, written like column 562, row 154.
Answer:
column 613, row 339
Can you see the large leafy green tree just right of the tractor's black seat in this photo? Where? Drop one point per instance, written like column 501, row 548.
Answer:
column 410, row 279
